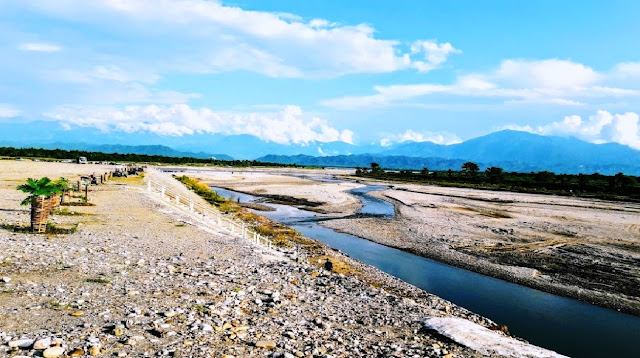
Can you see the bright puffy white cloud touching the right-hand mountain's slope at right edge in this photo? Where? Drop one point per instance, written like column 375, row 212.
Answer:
column 602, row 127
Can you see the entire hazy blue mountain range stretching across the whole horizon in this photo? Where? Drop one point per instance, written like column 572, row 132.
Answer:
column 508, row 149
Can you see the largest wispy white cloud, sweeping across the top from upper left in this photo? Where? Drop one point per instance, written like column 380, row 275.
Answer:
column 207, row 36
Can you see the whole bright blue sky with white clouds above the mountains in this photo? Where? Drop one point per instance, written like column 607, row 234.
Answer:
column 294, row 72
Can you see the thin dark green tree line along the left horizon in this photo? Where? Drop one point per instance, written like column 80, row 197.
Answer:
column 118, row 157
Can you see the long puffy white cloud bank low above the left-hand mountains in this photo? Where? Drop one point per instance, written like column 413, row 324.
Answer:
column 287, row 126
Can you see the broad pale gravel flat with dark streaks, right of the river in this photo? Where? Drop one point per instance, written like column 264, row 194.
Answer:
column 583, row 249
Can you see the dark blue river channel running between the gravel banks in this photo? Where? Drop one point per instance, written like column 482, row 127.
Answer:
column 561, row 324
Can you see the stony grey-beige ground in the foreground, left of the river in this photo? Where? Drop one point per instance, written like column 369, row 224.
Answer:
column 142, row 278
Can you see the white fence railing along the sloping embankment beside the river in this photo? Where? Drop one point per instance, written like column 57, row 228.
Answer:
column 204, row 213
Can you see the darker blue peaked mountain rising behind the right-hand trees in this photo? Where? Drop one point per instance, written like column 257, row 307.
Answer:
column 510, row 150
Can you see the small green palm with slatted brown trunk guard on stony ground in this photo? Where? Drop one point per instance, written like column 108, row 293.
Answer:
column 39, row 192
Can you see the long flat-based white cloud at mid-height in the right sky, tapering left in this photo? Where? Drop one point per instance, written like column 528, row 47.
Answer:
column 556, row 82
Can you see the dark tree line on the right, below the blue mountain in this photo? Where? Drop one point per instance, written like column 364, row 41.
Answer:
column 619, row 186
